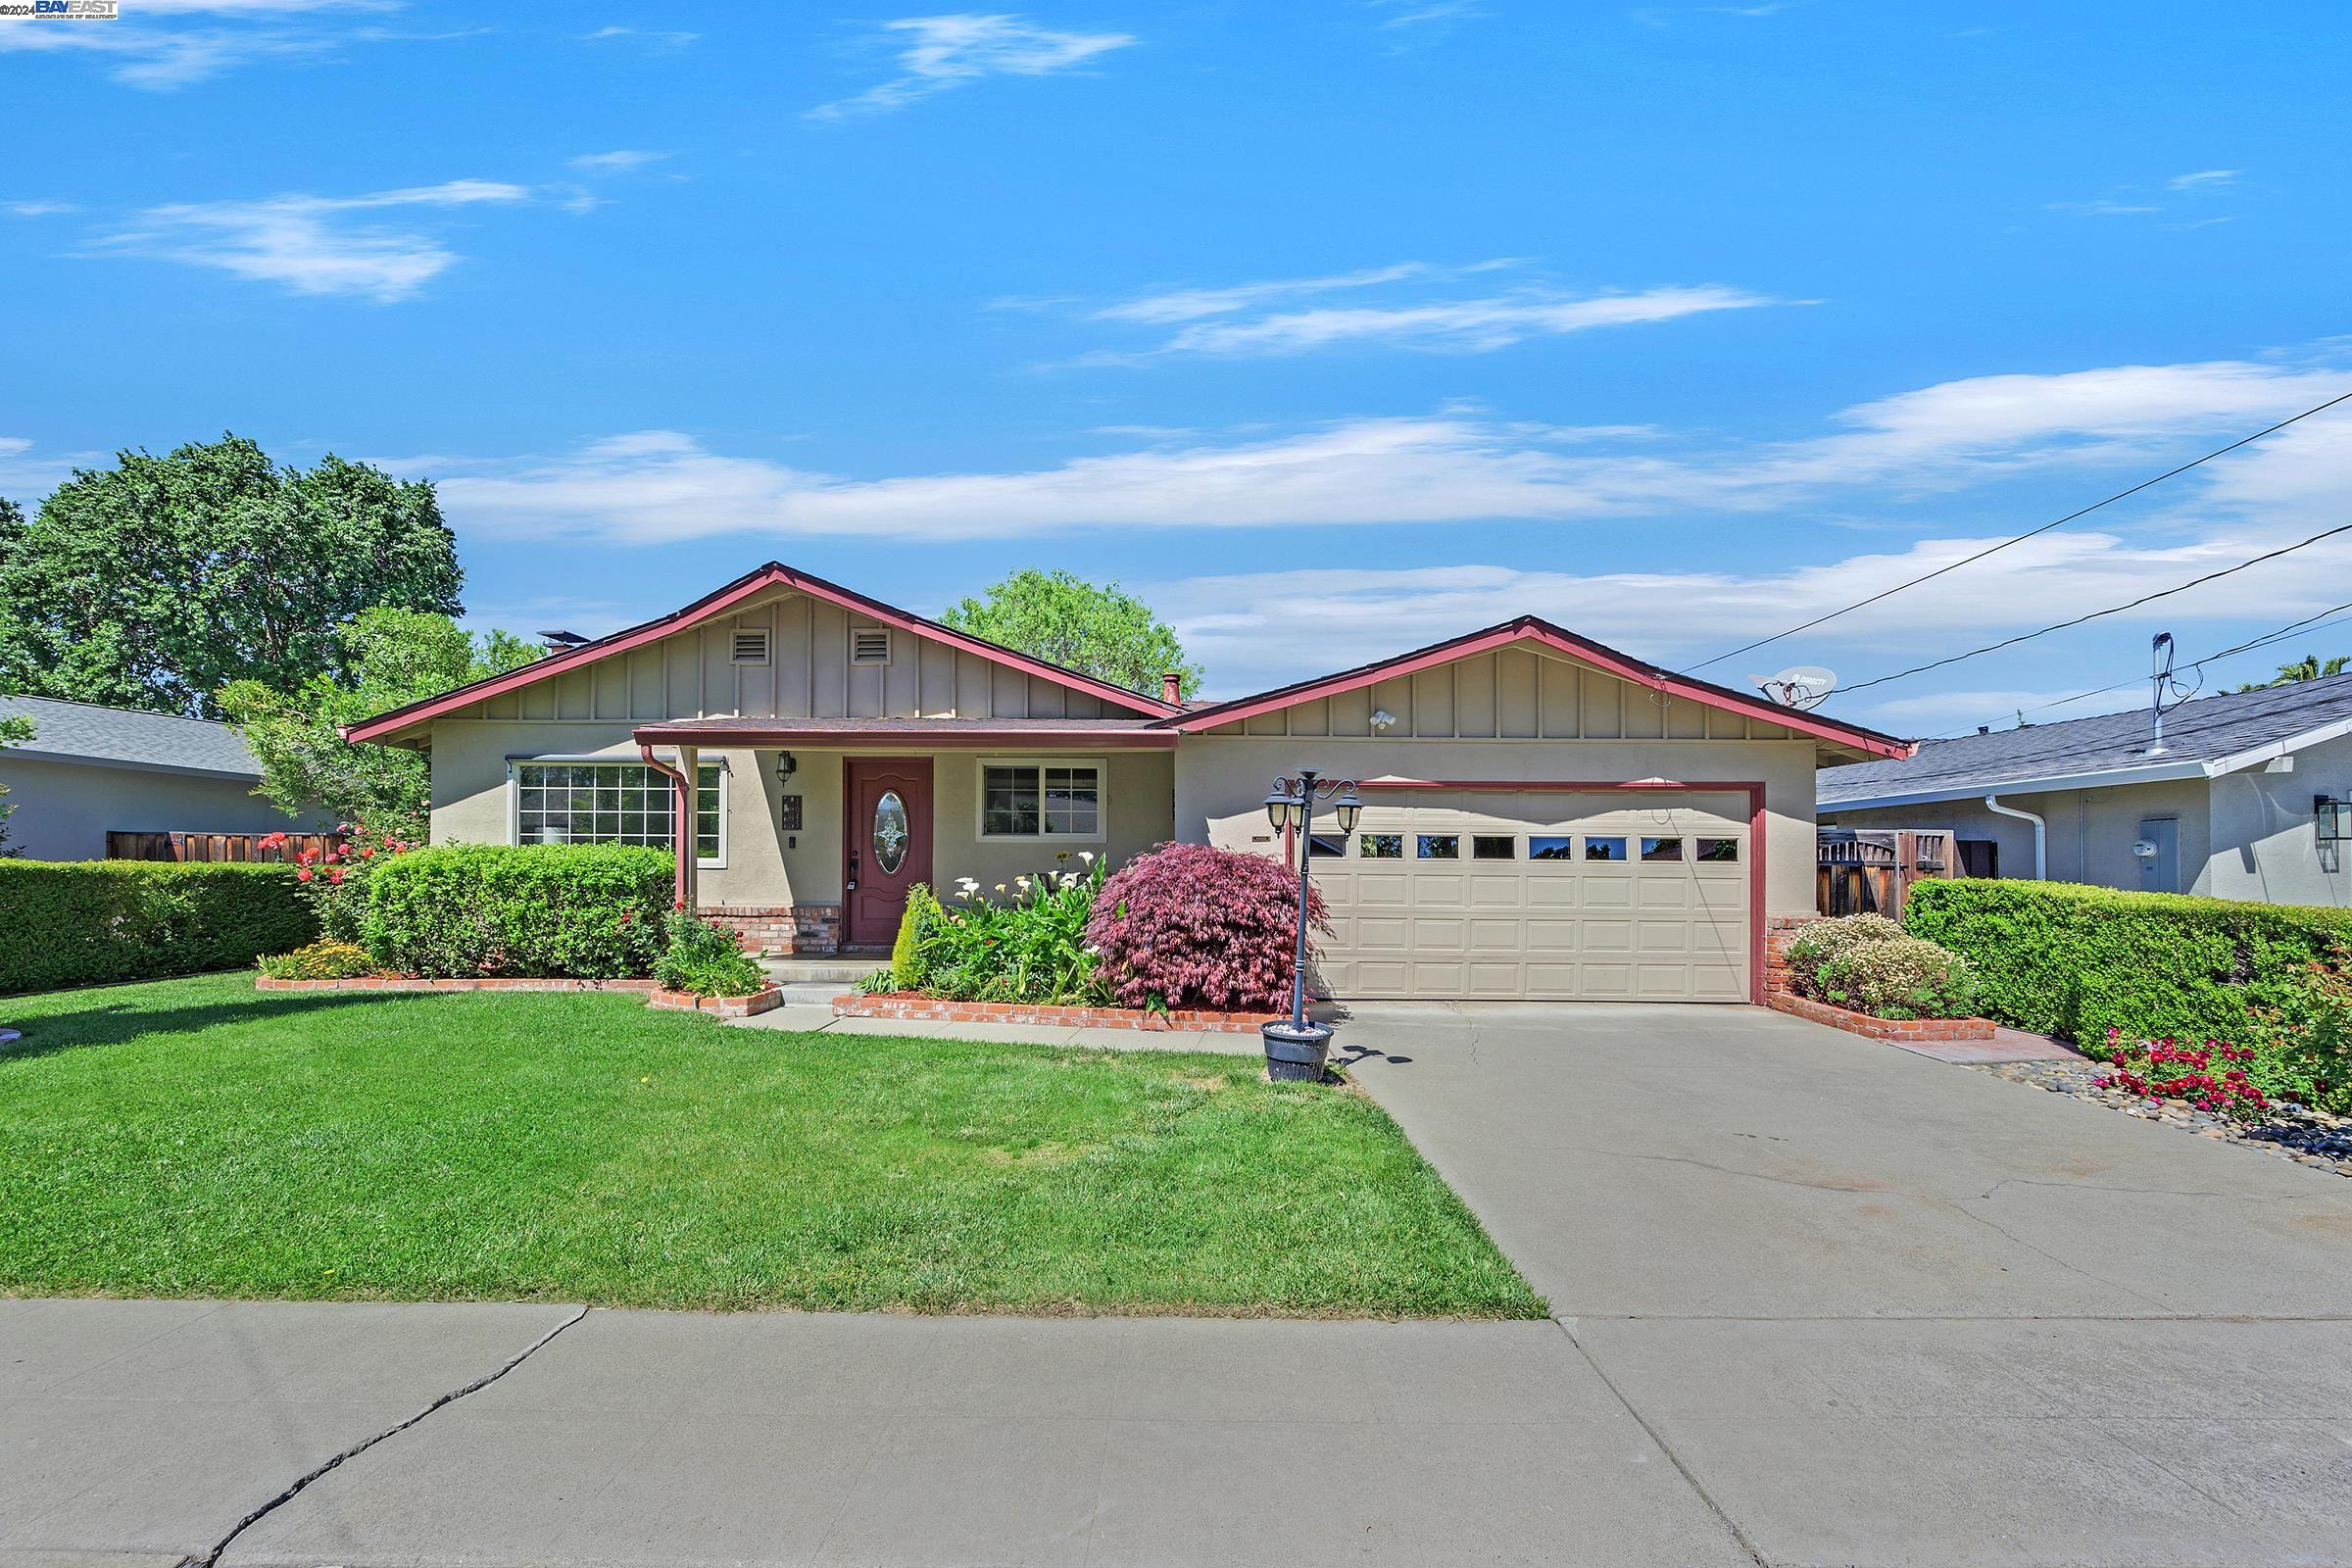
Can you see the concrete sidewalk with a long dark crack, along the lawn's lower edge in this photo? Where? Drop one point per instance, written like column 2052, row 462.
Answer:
column 636, row 1438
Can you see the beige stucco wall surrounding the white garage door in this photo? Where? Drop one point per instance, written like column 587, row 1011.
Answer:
column 1222, row 784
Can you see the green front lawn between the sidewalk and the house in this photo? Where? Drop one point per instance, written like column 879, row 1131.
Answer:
column 203, row 1139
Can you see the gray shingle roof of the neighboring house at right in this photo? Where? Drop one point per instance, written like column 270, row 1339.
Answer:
column 2203, row 739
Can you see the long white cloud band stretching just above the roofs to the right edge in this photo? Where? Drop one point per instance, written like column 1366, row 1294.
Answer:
column 1452, row 467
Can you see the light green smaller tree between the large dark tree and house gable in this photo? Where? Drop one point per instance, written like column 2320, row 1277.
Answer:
column 392, row 657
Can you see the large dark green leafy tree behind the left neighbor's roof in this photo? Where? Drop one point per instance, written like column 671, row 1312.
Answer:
column 161, row 579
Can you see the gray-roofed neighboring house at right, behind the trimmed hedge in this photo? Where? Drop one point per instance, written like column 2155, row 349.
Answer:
column 2229, row 808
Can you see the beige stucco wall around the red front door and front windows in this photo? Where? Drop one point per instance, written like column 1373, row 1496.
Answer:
column 766, row 866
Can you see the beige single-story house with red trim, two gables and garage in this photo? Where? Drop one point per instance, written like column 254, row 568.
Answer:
column 1544, row 817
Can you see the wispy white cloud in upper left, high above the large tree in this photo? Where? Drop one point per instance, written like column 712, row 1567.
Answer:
column 309, row 243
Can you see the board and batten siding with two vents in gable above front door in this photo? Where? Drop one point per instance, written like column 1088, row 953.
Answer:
column 808, row 676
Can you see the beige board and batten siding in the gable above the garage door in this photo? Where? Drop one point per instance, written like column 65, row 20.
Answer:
column 1509, row 695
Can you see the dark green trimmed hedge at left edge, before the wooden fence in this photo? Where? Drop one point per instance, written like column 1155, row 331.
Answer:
column 88, row 923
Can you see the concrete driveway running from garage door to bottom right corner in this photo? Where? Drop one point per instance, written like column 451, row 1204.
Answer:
column 1890, row 1311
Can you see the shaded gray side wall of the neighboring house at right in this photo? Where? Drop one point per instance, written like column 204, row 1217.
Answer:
column 2090, row 831
